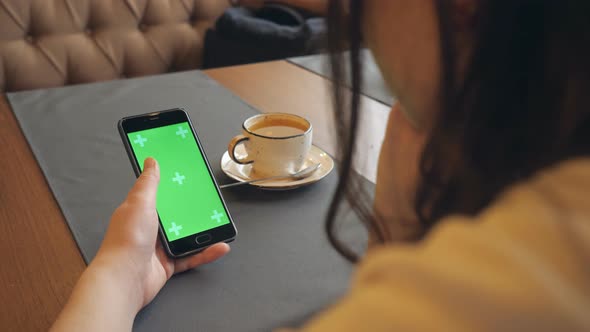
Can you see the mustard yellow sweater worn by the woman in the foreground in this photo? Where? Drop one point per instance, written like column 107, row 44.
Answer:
column 521, row 265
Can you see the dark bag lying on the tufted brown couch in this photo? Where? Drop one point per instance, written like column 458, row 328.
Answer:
column 273, row 32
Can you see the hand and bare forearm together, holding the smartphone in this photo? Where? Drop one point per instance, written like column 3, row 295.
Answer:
column 130, row 267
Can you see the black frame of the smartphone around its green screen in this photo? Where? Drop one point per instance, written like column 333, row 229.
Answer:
column 187, row 245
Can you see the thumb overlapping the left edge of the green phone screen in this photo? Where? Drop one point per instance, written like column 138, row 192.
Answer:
column 145, row 188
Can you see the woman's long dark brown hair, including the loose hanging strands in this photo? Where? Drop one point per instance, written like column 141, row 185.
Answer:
column 523, row 104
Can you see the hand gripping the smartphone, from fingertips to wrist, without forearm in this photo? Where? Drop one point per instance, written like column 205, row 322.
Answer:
column 132, row 241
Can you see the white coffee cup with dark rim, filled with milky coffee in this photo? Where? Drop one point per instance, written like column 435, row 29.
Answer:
column 275, row 143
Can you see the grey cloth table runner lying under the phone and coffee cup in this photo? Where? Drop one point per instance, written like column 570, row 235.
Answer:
column 281, row 268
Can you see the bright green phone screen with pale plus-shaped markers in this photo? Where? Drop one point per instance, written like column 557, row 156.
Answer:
column 187, row 201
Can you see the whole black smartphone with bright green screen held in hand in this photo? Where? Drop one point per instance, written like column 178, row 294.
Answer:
column 191, row 209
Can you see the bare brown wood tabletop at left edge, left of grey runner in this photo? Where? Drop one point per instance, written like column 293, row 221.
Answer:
column 40, row 260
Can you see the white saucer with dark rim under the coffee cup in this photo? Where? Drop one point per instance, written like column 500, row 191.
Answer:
column 242, row 173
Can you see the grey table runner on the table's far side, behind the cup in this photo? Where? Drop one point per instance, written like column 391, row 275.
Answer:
column 374, row 86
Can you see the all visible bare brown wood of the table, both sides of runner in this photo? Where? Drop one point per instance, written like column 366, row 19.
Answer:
column 40, row 259
